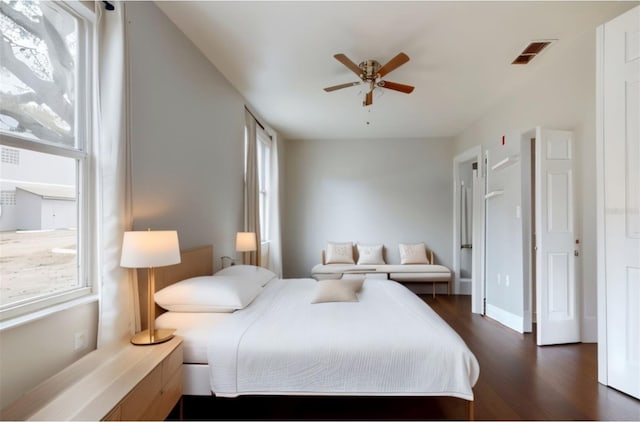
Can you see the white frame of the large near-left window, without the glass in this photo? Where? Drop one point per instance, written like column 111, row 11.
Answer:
column 84, row 117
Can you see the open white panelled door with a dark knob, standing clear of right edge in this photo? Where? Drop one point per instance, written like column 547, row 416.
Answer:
column 558, row 319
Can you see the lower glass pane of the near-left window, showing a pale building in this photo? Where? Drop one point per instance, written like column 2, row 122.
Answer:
column 39, row 227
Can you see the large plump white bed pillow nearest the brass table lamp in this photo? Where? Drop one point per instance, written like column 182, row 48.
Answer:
column 208, row 294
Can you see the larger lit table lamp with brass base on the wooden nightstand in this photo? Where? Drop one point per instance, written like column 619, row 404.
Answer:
column 150, row 249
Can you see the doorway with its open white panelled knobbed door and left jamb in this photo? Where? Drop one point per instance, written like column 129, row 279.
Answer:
column 549, row 255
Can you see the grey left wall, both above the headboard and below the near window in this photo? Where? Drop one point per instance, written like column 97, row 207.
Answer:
column 187, row 142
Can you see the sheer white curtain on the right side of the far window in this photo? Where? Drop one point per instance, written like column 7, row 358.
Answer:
column 275, row 247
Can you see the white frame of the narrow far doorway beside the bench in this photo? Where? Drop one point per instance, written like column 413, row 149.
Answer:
column 474, row 153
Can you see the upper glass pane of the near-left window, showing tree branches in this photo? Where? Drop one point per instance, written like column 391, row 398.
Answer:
column 38, row 71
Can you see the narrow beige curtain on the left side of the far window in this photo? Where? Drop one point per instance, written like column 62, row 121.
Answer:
column 252, row 189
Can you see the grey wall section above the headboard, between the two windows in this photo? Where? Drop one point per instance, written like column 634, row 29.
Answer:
column 187, row 137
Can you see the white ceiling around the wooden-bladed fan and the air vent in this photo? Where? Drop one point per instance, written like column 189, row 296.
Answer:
column 279, row 56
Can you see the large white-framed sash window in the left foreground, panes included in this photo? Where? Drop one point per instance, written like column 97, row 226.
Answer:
column 45, row 127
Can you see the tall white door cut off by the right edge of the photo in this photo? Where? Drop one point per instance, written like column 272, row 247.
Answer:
column 621, row 147
